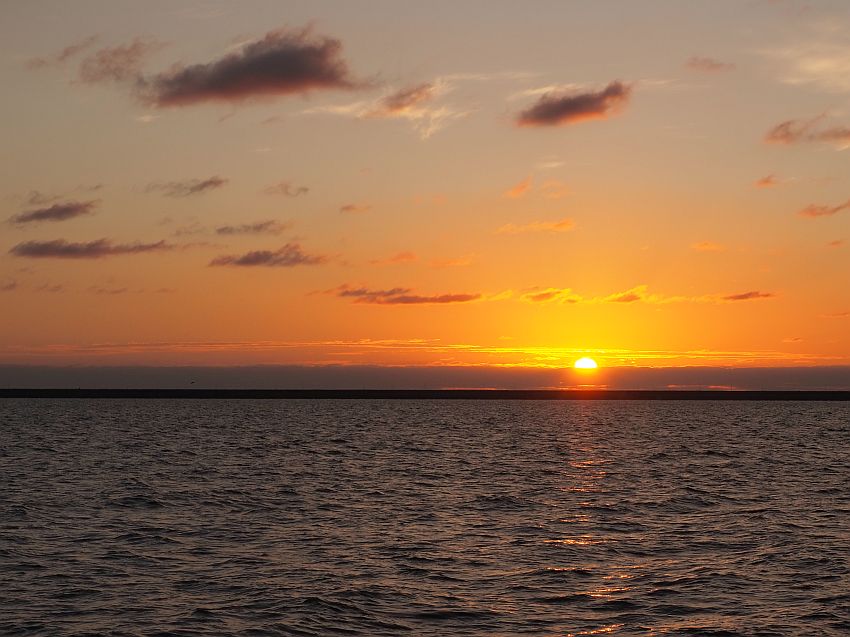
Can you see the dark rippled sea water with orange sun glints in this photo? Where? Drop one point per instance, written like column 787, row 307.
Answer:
column 424, row 518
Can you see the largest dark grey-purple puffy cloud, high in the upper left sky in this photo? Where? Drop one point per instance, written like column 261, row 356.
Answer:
column 281, row 63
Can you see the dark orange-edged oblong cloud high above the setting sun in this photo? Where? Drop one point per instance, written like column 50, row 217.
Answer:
column 561, row 109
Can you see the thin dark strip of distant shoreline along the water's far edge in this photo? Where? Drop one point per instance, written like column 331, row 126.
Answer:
column 431, row 394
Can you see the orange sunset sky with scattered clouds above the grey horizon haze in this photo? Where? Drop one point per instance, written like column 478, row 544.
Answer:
column 436, row 185
